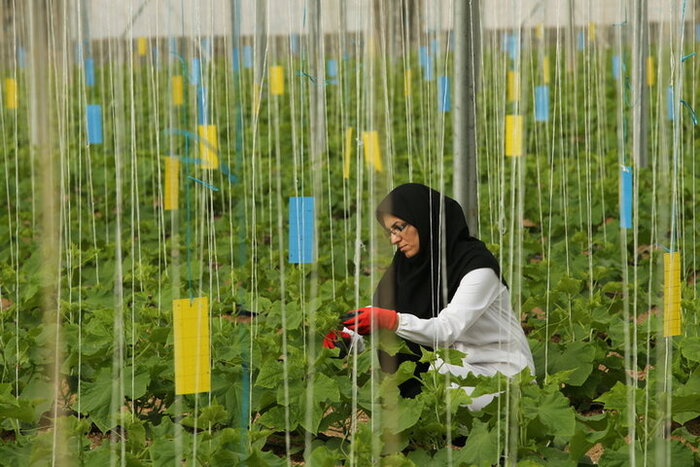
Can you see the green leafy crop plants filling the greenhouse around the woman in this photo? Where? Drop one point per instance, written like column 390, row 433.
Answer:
column 270, row 375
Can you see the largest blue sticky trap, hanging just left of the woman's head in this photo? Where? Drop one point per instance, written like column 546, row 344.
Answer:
column 301, row 229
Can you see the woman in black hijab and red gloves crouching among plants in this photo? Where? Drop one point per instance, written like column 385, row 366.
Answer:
column 442, row 289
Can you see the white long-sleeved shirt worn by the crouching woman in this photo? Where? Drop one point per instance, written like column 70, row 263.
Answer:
column 479, row 322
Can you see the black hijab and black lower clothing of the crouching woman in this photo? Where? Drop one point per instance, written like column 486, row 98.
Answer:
column 415, row 285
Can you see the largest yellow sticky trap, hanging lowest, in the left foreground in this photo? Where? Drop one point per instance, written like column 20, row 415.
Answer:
column 192, row 353
